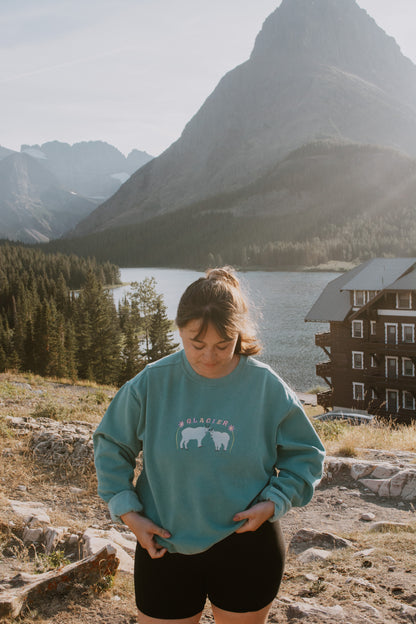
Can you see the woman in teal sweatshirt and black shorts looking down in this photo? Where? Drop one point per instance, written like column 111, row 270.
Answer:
column 227, row 451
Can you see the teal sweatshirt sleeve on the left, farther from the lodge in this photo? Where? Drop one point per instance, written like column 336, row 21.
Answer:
column 116, row 447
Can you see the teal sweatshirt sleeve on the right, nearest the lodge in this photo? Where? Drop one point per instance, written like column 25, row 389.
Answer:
column 299, row 464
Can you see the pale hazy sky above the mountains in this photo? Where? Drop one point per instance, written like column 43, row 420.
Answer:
column 131, row 72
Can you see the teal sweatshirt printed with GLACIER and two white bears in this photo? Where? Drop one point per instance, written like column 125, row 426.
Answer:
column 211, row 448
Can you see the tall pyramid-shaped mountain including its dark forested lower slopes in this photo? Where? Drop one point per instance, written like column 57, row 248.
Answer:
column 322, row 73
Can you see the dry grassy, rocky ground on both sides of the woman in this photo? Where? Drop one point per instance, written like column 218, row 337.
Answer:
column 371, row 578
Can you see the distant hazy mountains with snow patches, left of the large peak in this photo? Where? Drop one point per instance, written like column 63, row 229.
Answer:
column 46, row 190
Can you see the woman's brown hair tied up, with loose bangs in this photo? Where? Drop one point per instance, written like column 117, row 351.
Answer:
column 217, row 298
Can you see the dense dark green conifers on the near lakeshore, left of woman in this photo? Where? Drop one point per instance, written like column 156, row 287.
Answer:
column 58, row 319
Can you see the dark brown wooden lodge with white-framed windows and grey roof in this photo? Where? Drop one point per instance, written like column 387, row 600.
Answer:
column 371, row 343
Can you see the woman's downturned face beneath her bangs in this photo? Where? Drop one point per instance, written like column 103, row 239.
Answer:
column 209, row 355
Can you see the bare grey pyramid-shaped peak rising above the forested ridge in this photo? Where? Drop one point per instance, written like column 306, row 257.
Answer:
column 319, row 70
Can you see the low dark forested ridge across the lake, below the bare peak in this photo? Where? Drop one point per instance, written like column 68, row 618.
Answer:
column 322, row 202
